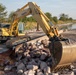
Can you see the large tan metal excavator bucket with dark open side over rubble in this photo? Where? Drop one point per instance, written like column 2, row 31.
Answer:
column 63, row 52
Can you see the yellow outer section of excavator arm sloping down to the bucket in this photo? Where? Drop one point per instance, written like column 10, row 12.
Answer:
column 42, row 19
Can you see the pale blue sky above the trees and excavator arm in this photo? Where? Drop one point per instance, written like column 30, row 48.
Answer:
column 55, row 7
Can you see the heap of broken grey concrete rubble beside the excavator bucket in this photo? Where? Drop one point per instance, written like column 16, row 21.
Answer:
column 30, row 59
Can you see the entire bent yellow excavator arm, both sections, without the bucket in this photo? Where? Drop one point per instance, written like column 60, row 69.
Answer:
column 32, row 9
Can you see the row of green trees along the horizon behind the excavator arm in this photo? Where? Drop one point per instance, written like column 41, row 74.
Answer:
column 3, row 13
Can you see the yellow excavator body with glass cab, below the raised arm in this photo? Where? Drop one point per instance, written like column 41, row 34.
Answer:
column 8, row 31
